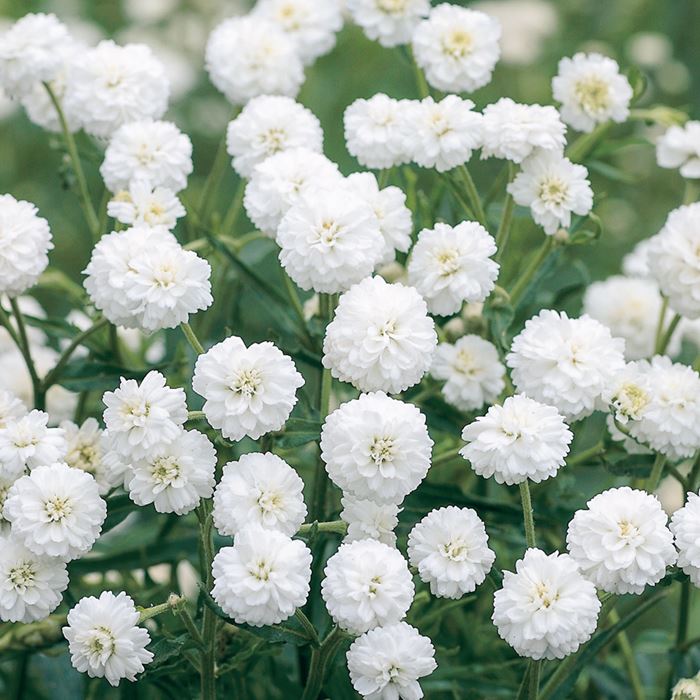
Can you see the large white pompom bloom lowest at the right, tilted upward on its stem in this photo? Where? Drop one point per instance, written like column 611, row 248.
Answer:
column 546, row 609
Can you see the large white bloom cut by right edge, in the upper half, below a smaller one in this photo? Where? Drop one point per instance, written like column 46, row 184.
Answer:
column 674, row 259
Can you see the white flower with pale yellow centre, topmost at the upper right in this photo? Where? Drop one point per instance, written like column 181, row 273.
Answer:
column 591, row 91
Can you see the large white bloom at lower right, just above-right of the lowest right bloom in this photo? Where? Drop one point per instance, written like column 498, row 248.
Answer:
column 621, row 541
